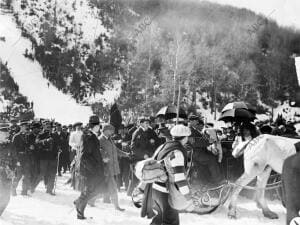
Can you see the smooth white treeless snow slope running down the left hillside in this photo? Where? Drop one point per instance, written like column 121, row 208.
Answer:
column 49, row 102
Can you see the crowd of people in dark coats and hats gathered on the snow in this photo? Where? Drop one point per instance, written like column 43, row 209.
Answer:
column 101, row 157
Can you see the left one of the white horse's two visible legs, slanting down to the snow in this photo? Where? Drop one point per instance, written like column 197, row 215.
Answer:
column 242, row 181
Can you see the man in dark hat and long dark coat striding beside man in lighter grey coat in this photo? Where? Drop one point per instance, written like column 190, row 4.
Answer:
column 90, row 167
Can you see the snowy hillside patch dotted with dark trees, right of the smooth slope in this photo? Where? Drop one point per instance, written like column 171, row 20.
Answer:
column 68, row 39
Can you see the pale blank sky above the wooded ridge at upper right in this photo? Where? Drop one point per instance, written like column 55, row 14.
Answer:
column 285, row 12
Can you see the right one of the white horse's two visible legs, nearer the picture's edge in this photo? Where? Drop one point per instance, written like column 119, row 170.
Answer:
column 261, row 183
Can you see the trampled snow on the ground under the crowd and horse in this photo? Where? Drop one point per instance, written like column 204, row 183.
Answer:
column 43, row 209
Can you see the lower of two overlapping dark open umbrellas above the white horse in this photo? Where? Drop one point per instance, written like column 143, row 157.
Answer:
column 237, row 115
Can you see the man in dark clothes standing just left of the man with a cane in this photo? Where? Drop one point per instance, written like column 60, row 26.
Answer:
column 20, row 144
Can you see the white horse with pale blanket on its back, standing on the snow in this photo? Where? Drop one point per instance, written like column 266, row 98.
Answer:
column 261, row 155
